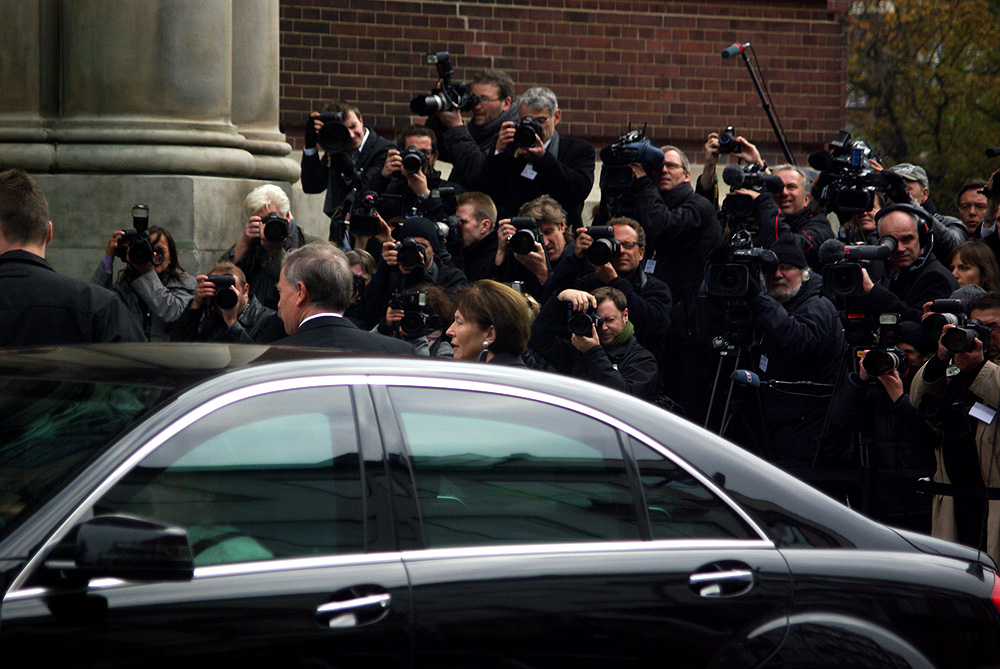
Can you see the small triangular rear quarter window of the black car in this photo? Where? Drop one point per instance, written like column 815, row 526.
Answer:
column 679, row 506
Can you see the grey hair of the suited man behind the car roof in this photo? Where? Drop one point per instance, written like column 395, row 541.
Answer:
column 323, row 269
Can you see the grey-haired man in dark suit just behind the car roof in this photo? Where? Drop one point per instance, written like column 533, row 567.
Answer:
column 315, row 288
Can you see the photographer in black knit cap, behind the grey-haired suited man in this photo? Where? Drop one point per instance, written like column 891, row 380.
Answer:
column 412, row 258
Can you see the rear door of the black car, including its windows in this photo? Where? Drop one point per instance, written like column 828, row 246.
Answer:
column 552, row 539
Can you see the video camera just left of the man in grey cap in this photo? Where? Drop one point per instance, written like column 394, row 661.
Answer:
column 848, row 183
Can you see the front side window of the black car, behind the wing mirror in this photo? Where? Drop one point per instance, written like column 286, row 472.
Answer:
column 273, row 476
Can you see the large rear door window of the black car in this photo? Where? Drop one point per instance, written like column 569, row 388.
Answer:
column 492, row 469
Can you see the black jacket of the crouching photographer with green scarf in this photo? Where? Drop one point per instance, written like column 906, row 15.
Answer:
column 626, row 367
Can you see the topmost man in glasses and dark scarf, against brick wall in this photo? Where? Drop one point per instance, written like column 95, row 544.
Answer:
column 467, row 145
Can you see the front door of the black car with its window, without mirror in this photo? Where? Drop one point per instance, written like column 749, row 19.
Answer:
column 292, row 566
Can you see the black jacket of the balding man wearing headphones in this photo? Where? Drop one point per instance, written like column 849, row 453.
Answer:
column 906, row 293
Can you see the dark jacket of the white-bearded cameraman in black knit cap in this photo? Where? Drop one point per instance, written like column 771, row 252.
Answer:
column 801, row 340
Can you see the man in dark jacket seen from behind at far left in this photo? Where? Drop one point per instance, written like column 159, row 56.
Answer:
column 39, row 307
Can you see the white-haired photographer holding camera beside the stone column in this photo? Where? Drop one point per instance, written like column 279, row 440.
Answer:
column 268, row 234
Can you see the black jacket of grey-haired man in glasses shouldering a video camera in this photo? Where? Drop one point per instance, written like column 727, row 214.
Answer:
column 681, row 231
